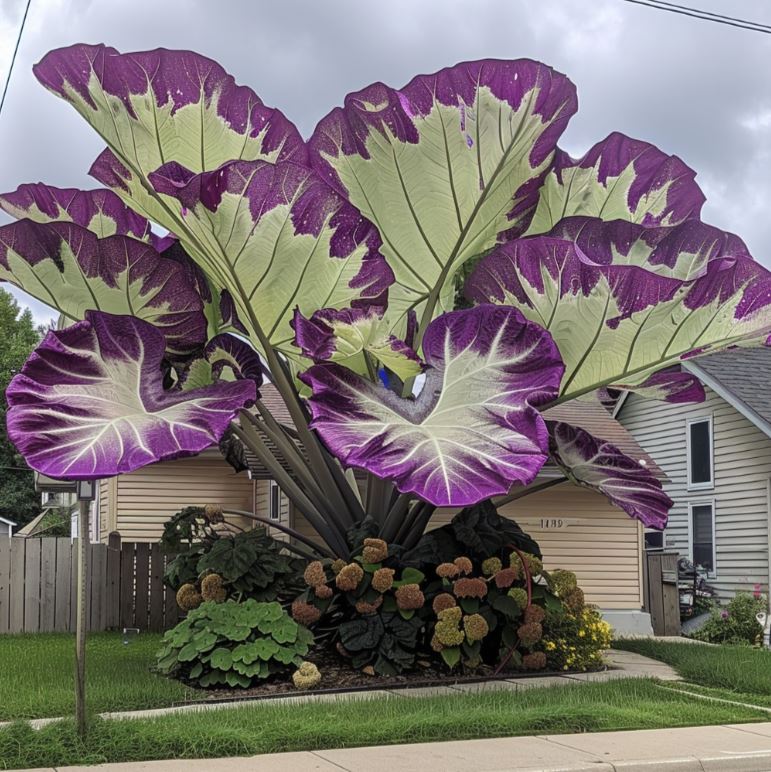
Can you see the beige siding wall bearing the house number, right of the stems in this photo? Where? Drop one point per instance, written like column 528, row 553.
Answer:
column 600, row 543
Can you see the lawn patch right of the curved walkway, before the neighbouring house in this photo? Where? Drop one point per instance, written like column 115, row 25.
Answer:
column 739, row 669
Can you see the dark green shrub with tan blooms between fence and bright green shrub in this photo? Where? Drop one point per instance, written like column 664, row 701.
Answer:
column 251, row 564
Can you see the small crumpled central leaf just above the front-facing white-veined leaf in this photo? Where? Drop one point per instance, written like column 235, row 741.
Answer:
column 358, row 338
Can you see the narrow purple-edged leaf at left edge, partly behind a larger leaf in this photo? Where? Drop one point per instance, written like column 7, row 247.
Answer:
column 99, row 211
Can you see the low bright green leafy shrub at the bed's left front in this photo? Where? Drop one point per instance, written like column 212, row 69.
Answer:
column 233, row 644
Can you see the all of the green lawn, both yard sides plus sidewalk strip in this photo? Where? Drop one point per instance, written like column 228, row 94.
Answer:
column 38, row 683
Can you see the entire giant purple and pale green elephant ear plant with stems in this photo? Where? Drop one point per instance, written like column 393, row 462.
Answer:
column 331, row 267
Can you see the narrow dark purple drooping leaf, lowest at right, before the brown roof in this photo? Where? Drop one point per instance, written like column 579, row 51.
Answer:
column 596, row 464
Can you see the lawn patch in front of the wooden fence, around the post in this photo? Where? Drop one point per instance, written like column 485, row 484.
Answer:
column 36, row 676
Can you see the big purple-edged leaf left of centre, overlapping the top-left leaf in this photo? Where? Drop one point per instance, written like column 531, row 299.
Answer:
column 279, row 238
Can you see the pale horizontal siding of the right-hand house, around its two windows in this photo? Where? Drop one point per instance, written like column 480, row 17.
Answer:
column 742, row 467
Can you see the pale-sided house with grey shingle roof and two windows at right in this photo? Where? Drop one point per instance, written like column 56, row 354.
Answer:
column 717, row 458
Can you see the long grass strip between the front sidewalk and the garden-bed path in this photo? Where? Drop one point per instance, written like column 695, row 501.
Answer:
column 268, row 728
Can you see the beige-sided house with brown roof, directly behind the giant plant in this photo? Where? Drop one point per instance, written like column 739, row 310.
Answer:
column 576, row 528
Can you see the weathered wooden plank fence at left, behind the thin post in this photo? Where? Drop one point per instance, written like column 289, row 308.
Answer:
column 125, row 586
